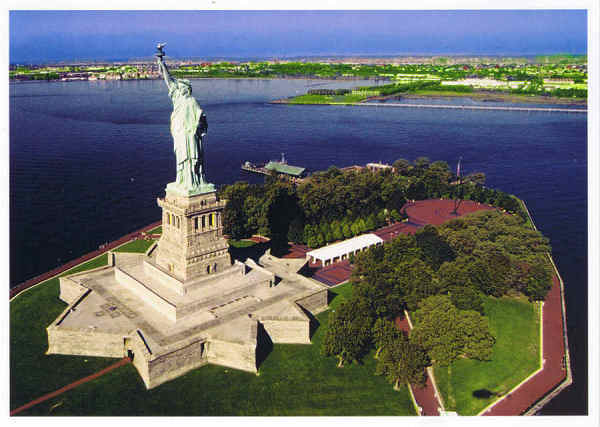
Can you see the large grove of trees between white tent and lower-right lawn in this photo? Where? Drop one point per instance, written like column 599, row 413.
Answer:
column 441, row 274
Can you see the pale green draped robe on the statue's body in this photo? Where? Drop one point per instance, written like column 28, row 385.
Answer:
column 187, row 142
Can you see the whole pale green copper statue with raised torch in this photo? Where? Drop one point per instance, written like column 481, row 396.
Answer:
column 188, row 127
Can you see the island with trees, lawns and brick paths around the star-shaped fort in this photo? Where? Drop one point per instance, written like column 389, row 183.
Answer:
column 403, row 247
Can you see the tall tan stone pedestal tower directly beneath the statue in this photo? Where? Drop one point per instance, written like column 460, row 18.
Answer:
column 192, row 243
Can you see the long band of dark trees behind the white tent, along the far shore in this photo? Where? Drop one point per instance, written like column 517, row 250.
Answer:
column 335, row 204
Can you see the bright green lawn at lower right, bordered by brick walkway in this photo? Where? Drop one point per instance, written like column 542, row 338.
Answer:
column 468, row 386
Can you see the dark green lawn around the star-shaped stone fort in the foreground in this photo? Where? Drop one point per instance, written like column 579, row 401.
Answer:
column 293, row 380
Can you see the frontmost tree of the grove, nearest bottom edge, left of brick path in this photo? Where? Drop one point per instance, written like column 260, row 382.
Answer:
column 402, row 361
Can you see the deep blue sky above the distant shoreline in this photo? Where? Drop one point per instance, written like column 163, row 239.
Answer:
column 37, row 36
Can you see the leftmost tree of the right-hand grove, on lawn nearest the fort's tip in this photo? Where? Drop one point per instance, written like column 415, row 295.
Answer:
column 349, row 332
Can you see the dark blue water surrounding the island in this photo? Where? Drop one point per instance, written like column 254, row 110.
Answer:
column 89, row 159
